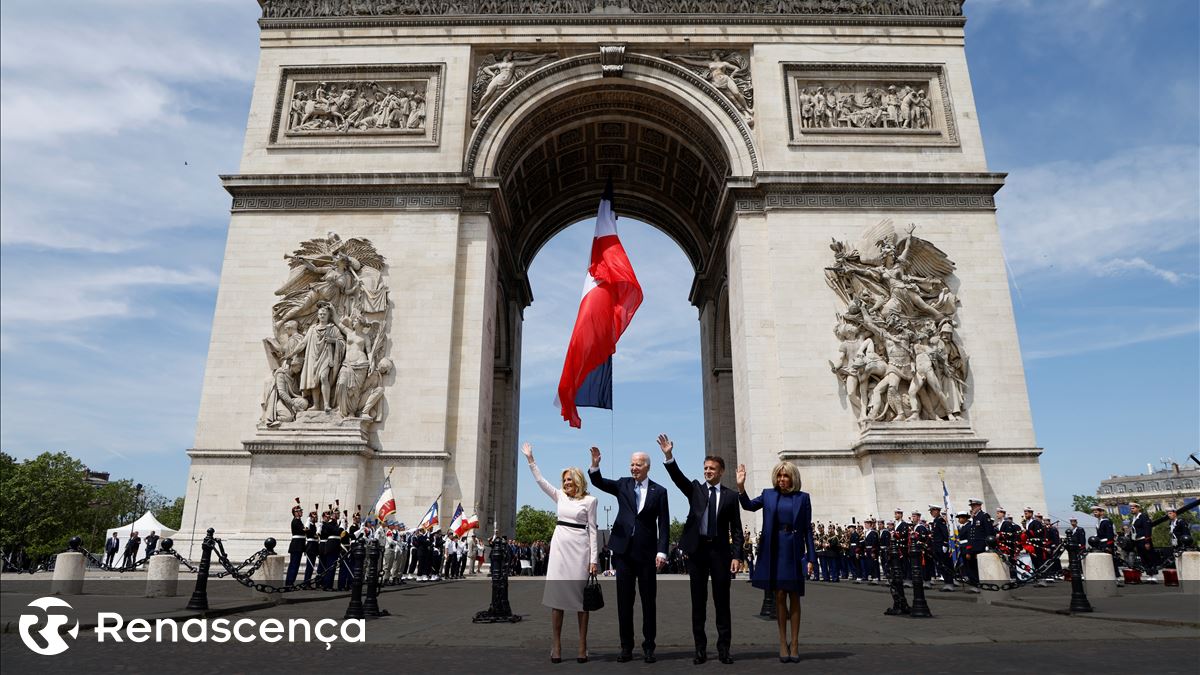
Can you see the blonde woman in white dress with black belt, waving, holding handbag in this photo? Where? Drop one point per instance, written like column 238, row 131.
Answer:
column 573, row 552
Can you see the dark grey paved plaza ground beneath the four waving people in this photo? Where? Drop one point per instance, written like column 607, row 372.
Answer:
column 844, row 629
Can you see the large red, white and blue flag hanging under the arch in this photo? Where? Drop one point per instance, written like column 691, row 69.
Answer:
column 611, row 296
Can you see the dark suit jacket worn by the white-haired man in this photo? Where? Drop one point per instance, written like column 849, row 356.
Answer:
column 641, row 536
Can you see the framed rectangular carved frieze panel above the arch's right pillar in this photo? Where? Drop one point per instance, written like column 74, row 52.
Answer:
column 869, row 105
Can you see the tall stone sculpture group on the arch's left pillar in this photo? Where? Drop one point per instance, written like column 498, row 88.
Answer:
column 327, row 356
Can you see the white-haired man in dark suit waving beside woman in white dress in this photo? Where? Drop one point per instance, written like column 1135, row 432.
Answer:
column 639, row 542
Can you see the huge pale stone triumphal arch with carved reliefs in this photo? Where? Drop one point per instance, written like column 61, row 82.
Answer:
column 819, row 163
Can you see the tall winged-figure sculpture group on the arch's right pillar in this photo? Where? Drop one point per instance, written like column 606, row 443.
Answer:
column 898, row 355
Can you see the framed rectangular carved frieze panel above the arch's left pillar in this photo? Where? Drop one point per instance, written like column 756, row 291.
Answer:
column 359, row 105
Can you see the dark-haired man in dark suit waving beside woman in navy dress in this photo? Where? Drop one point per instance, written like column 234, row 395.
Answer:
column 712, row 539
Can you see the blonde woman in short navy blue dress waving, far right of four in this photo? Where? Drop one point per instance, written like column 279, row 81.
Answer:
column 787, row 542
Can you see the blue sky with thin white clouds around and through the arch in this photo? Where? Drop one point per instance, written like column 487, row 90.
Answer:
column 117, row 117
